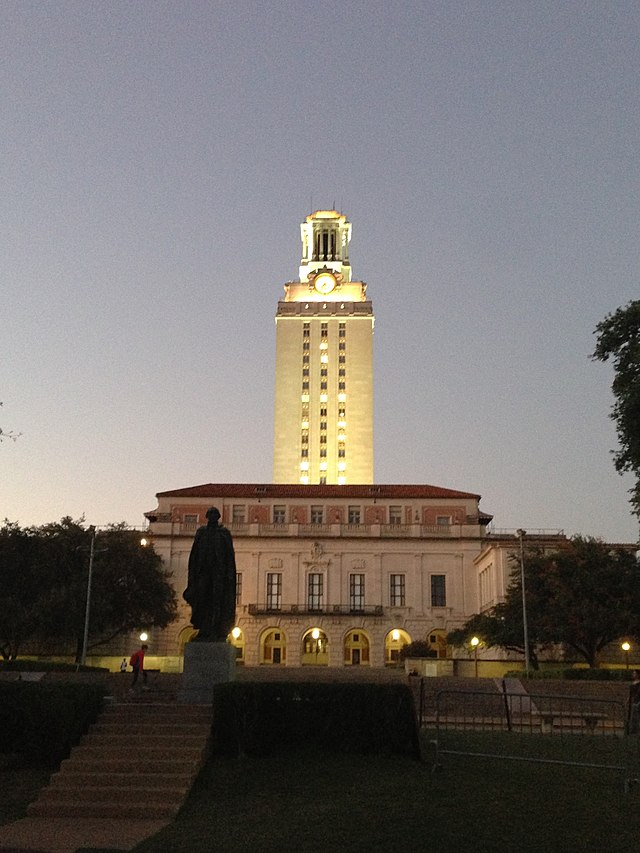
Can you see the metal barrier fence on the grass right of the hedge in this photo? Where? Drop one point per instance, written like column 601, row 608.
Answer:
column 515, row 725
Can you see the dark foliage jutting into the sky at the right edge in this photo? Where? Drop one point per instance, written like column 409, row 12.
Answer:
column 619, row 340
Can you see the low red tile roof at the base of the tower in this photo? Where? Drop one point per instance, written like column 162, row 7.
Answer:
column 296, row 490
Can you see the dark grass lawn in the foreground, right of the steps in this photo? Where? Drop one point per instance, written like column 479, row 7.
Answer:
column 321, row 802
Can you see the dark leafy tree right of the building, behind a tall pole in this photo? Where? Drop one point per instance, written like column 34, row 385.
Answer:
column 585, row 596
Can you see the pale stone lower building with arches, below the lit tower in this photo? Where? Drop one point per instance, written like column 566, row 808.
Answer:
column 331, row 575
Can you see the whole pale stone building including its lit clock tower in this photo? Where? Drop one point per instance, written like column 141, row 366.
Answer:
column 332, row 568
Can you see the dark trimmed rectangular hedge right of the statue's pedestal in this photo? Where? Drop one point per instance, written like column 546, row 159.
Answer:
column 257, row 718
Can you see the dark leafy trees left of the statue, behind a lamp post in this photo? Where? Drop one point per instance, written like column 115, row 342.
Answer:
column 43, row 586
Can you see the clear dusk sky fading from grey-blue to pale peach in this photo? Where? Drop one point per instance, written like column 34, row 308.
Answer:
column 156, row 161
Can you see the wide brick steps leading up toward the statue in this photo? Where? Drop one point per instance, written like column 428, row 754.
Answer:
column 137, row 762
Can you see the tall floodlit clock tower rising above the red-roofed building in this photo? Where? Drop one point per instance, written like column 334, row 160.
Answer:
column 324, row 366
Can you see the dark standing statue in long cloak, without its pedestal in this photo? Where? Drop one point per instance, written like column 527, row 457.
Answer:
column 211, row 586
